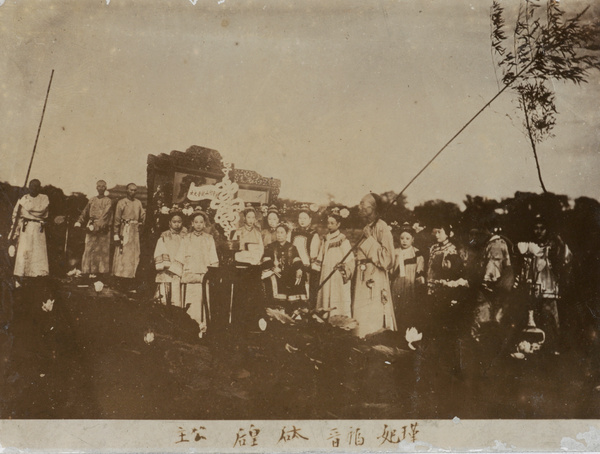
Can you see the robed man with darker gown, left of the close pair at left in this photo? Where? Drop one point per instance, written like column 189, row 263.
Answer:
column 97, row 217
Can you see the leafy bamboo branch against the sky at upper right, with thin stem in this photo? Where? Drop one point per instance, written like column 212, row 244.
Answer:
column 545, row 47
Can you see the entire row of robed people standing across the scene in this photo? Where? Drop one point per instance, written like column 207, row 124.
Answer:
column 389, row 280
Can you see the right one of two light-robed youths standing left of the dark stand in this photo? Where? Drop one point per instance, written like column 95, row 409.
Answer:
column 196, row 253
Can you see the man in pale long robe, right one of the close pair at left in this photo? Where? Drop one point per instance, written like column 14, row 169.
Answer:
column 129, row 216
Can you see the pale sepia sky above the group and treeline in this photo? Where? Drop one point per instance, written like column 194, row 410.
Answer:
column 330, row 97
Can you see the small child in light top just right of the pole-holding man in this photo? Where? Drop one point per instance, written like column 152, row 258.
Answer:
column 408, row 272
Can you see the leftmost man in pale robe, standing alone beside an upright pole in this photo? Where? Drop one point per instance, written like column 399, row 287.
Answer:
column 30, row 214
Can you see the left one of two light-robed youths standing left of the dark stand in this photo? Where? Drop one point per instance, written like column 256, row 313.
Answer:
column 168, row 284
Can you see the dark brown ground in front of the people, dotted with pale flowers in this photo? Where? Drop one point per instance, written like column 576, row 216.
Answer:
column 87, row 358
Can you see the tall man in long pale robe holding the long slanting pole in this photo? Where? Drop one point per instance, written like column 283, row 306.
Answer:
column 372, row 303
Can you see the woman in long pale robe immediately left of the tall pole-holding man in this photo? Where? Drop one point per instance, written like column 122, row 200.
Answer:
column 335, row 295
